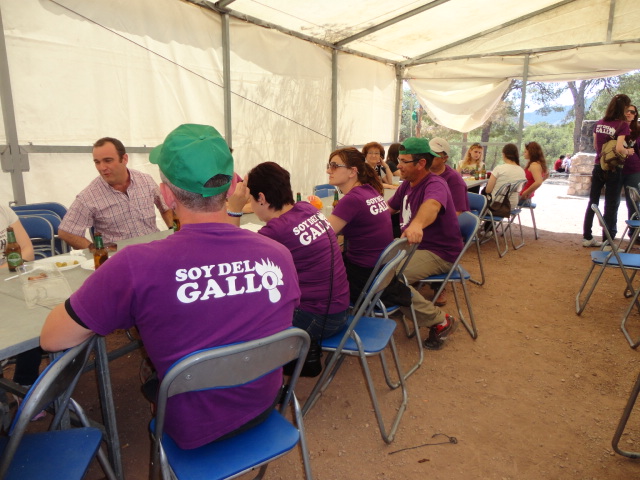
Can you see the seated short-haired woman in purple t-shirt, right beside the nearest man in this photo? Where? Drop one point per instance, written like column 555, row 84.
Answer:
column 314, row 247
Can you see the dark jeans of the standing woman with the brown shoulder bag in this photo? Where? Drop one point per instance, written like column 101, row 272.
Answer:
column 612, row 183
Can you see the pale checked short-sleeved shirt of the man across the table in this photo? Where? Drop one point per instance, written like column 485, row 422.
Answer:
column 115, row 214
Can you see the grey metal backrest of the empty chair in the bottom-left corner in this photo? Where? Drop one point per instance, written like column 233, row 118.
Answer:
column 56, row 382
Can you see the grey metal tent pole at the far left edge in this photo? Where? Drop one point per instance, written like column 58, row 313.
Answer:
column 11, row 159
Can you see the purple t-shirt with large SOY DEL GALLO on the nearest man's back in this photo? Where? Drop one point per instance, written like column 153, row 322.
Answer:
column 205, row 285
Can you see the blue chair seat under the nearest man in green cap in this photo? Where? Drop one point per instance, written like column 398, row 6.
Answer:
column 234, row 455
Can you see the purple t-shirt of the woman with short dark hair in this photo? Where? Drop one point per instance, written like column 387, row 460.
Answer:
column 311, row 240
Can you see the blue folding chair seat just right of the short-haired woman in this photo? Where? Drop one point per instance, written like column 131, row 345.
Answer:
column 374, row 333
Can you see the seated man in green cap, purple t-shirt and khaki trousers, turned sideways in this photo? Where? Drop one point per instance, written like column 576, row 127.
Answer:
column 428, row 218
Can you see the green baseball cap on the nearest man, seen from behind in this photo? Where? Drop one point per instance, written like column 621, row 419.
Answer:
column 192, row 154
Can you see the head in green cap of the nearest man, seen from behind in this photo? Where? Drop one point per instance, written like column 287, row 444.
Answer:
column 197, row 166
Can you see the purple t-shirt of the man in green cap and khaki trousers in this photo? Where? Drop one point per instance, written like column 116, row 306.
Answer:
column 443, row 236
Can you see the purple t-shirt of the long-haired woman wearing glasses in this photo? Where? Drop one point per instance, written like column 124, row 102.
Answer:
column 368, row 230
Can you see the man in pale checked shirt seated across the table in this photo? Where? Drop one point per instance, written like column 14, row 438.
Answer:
column 118, row 204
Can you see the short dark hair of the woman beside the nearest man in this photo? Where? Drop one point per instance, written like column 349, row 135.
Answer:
column 273, row 181
